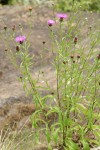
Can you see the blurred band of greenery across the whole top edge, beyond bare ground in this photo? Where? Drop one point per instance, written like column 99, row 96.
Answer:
column 63, row 5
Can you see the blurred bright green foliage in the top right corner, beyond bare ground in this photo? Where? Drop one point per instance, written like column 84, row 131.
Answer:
column 86, row 5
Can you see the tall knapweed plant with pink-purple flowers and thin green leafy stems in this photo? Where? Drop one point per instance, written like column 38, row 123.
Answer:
column 72, row 121
